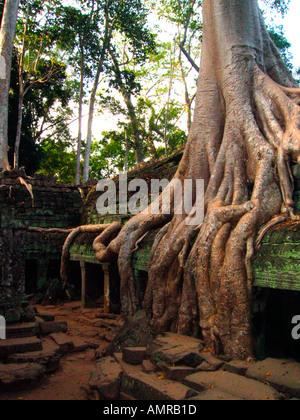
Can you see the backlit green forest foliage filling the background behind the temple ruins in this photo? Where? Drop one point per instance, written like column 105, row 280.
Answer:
column 146, row 69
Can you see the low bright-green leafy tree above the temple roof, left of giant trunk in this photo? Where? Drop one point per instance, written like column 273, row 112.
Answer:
column 117, row 150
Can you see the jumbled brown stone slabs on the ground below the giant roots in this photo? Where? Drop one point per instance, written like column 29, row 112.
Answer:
column 176, row 367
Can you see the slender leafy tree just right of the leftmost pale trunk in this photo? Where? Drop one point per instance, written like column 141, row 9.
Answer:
column 38, row 63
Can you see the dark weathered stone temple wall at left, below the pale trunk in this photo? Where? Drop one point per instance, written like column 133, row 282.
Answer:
column 42, row 203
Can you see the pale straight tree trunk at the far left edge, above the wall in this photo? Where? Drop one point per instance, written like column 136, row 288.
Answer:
column 7, row 33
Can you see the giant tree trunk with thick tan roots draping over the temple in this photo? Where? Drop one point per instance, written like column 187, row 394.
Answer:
column 243, row 139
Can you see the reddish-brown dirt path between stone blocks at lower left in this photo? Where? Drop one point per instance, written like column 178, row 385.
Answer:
column 70, row 381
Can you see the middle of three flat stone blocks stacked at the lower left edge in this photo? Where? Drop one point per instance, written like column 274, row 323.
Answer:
column 19, row 345
